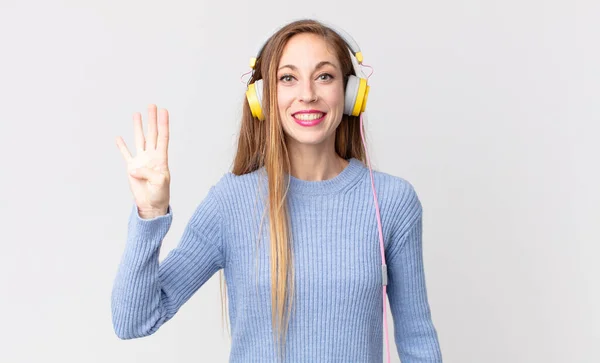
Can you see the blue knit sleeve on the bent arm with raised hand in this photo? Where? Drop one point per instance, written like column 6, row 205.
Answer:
column 146, row 294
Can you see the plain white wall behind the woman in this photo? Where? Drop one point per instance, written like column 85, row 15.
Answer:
column 490, row 109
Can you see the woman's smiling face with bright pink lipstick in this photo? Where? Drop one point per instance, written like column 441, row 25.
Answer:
column 310, row 91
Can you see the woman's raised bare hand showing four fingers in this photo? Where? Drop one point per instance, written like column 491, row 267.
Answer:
column 148, row 171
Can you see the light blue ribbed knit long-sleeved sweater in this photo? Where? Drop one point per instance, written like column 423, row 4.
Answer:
column 338, row 300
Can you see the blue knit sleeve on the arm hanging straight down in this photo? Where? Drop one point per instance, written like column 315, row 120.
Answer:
column 414, row 332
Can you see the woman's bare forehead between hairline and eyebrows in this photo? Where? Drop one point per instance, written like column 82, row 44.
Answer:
column 307, row 49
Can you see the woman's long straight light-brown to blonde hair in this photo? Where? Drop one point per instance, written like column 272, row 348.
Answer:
column 262, row 143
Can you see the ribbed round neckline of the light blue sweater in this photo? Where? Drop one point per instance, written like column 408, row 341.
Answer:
column 346, row 178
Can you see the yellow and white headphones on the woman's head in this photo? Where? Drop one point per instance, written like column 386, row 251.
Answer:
column 355, row 95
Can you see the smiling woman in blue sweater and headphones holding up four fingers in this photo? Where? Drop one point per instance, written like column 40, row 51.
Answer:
column 310, row 289
